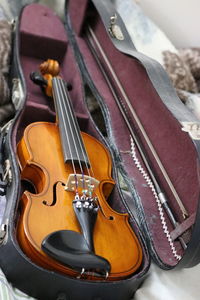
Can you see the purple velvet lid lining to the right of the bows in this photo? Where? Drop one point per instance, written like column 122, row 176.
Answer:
column 174, row 147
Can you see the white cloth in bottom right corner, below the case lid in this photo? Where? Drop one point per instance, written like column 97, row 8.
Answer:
column 170, row 285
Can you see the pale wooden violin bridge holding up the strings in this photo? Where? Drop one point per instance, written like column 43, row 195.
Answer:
column 87, row 183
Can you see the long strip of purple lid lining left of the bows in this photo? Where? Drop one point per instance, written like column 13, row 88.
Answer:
column 122, row 140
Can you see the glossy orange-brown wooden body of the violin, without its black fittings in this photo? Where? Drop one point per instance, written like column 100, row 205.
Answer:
column 50, row 209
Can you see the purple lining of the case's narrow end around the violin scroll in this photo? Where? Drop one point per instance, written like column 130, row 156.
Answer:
column 50, row 29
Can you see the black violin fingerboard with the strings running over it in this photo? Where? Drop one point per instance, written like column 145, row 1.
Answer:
column 72, row 143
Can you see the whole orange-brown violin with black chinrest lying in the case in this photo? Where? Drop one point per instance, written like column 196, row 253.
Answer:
column 66, row 224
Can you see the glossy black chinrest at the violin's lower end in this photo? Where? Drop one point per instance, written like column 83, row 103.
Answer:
column 71, row 249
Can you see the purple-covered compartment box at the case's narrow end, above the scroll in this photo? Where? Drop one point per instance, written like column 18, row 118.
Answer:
column 39, row 41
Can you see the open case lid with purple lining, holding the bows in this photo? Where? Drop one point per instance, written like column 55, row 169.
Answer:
column 153, row 136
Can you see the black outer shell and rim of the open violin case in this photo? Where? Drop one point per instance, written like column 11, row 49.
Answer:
column 43, row 284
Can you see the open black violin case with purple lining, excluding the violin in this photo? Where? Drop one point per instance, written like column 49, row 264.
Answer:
column 135, row 107
